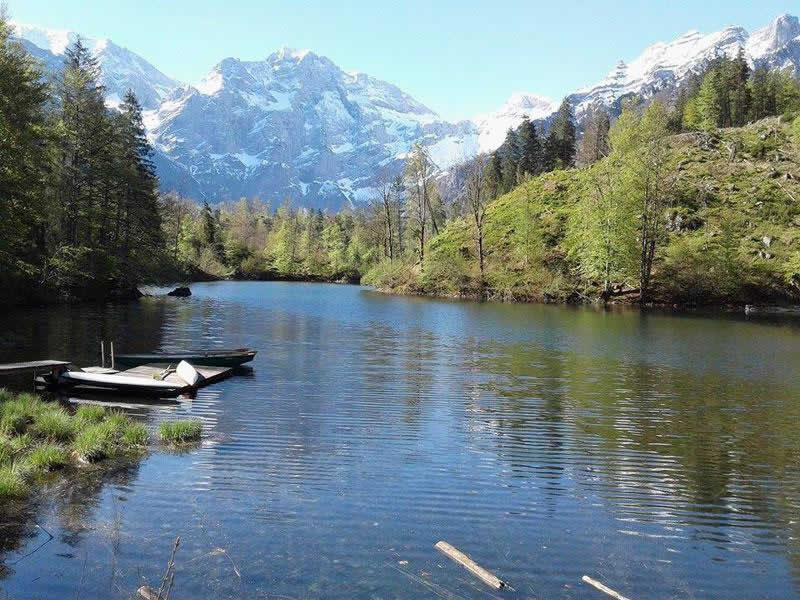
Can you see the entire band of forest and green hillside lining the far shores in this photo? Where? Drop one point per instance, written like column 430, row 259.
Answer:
column 688, row 198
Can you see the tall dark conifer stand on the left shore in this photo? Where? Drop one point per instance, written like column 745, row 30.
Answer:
column 79, row 211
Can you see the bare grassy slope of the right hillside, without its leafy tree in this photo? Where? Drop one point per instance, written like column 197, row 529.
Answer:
column 731, row 232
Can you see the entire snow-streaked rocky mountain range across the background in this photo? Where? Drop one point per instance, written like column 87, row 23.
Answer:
column 295, row 125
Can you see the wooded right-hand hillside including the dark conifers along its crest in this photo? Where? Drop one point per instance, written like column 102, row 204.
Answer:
column 627, row 214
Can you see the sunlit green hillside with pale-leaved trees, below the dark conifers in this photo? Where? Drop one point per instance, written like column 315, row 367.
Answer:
column 580, row 234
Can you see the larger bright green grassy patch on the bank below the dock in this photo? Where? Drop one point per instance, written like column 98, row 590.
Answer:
column 39, row 437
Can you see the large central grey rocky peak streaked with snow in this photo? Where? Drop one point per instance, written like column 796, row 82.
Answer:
column 296, row 125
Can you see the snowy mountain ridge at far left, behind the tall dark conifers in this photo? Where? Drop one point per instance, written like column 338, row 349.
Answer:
column 122, row 69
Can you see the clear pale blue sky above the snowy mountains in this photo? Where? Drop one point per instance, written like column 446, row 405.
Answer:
column 459, row 57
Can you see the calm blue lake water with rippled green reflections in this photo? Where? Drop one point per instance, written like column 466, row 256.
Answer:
column 659, row 454
